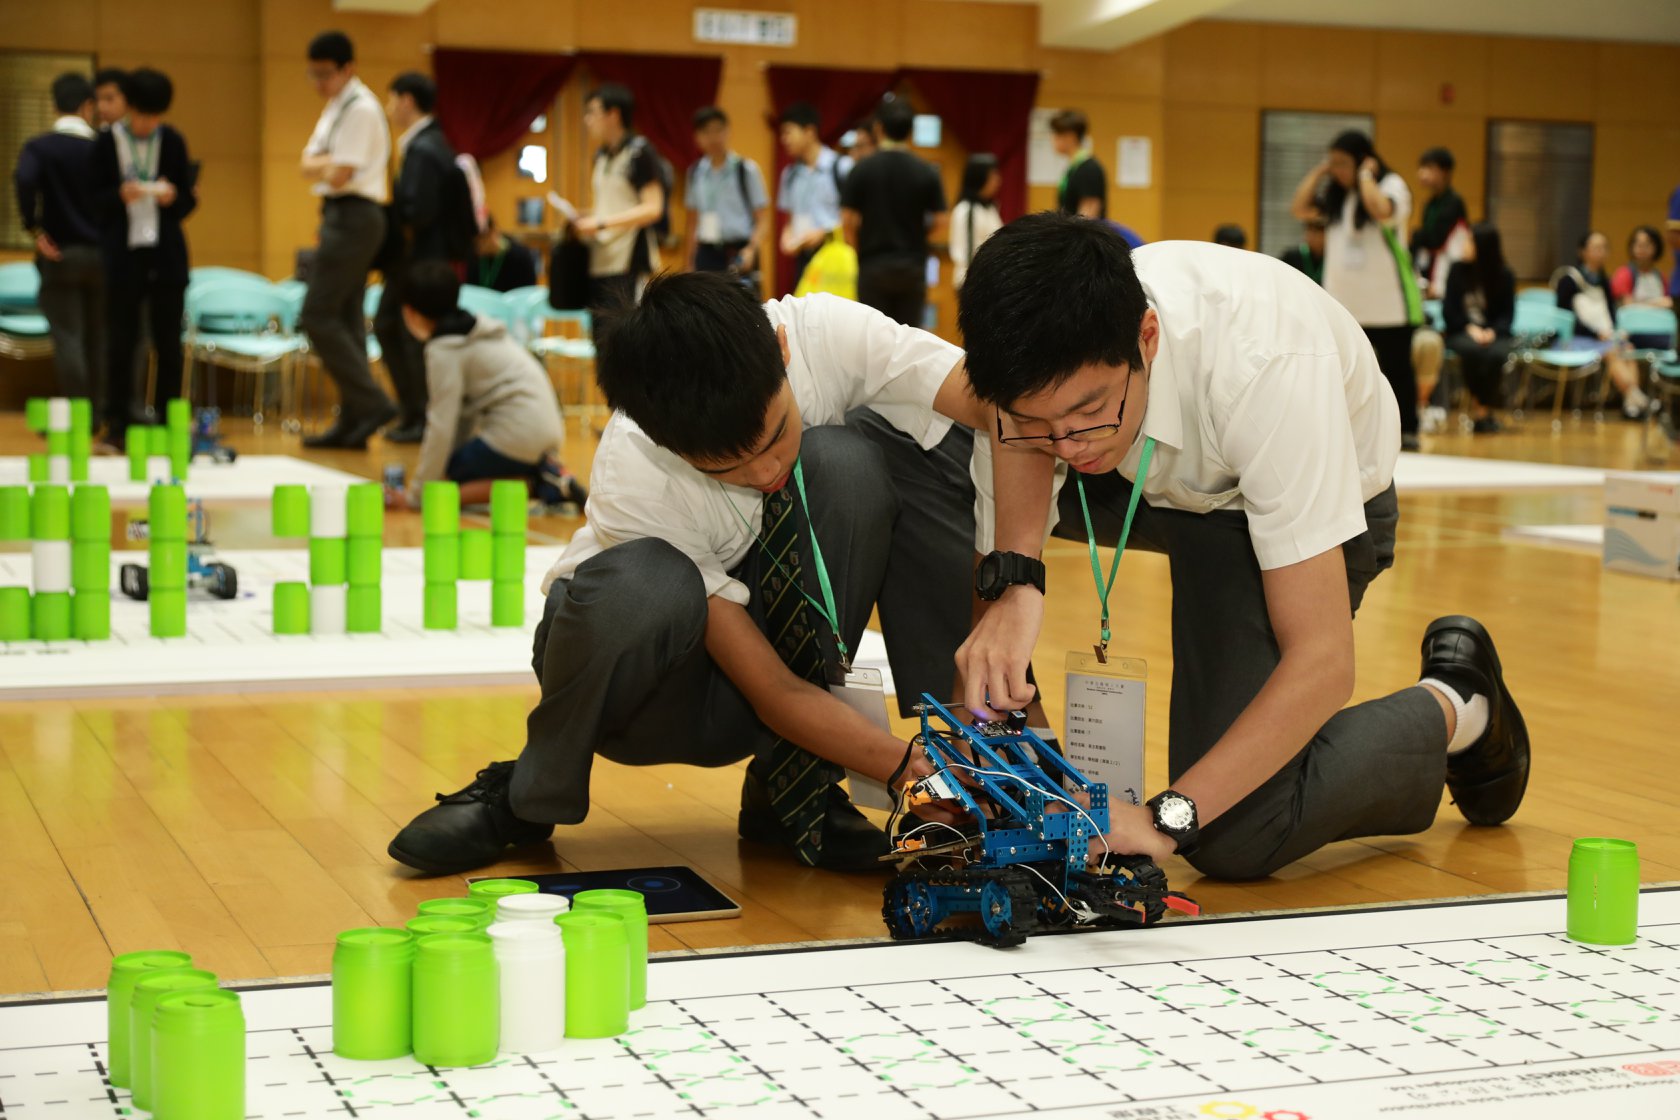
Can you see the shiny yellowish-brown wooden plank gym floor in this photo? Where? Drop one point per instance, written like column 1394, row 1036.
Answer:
column 251, row 829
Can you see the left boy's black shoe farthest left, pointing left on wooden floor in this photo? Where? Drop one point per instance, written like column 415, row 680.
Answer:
column 468, row 829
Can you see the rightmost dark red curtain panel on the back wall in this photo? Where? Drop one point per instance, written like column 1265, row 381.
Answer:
column 987, row 112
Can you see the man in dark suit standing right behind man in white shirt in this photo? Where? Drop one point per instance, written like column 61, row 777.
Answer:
column 428, row 222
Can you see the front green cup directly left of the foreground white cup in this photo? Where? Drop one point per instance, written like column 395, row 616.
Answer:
column 458, row 1003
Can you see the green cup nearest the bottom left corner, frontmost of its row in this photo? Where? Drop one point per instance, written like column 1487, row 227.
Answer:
column 199, row 1057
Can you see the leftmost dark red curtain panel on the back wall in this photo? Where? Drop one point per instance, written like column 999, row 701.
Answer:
column 488, row 100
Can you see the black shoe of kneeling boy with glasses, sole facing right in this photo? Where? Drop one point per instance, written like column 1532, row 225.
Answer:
column 1488, row 778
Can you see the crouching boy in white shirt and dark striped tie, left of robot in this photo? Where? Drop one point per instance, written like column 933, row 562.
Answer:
column 742, row 528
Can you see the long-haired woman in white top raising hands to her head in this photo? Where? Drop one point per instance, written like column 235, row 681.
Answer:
column 1367, row 268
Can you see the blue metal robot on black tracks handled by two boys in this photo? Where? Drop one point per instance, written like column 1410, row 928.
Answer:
column 1022, row 866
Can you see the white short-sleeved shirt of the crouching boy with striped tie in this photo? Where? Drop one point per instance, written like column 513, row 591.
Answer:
column 843, row 355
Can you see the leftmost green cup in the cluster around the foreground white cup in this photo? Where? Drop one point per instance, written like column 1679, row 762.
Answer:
column 374, row 995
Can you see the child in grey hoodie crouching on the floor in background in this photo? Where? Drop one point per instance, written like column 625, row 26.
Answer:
column 491, row 412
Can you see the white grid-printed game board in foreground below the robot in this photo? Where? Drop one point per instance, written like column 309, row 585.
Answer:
column 1474, row 1012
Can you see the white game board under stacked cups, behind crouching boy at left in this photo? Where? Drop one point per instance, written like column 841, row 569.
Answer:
column 231, row 644
